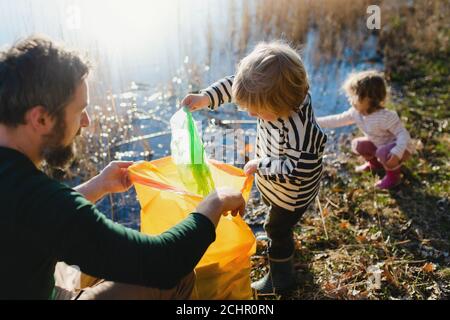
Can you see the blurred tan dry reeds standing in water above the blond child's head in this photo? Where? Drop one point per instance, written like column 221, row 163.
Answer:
column 338, row 24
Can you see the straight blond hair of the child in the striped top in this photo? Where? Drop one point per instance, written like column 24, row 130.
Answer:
column 272, row 78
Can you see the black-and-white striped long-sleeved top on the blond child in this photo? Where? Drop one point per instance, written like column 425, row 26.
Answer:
column 290, row 152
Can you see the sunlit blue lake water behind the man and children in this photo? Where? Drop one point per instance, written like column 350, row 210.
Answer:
column 149, row 54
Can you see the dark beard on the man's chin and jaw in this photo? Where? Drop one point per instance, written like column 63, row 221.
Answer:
column 55, row 154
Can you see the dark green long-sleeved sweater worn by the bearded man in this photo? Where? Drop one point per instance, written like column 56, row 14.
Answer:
column 43, row 221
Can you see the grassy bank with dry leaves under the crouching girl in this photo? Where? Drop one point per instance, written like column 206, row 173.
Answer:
column 372, row 244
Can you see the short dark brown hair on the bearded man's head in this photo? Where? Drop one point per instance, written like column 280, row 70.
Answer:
column 37, row 72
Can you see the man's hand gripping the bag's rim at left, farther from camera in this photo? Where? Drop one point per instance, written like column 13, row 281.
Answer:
column 113, row 179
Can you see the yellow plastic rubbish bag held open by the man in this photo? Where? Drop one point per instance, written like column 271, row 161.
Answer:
column 224, row 271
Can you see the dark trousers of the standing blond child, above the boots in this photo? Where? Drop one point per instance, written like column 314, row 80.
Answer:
column 279, row 226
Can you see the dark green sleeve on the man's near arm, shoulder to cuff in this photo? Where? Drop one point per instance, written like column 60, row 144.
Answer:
column 64, row 224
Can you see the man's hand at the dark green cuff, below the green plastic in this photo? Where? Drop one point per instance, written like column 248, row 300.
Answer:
column 222, row 202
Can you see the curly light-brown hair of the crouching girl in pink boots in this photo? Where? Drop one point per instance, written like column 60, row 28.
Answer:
column 369, row 84
